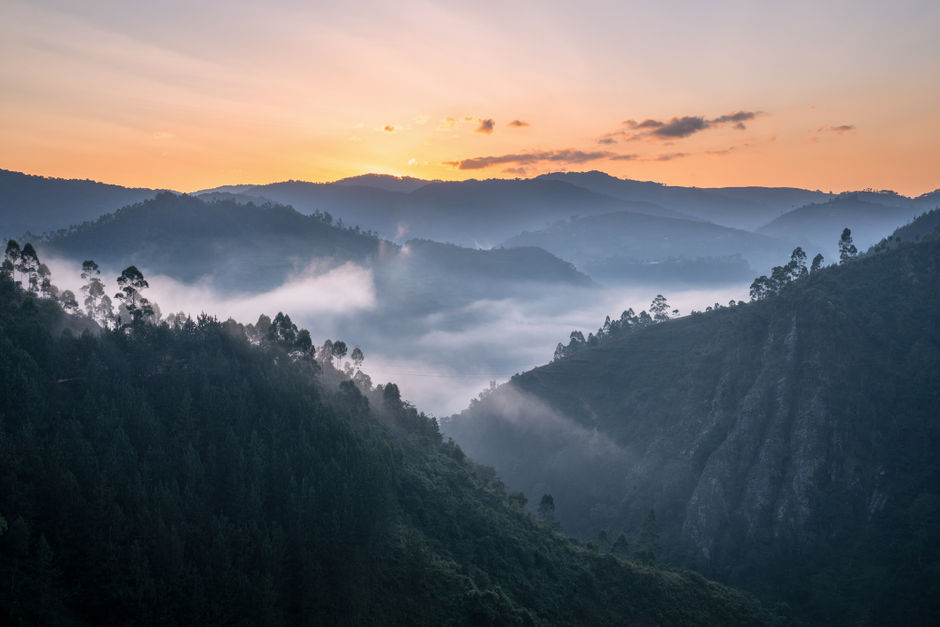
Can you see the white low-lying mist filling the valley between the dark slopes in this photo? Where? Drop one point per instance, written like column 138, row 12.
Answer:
column 441, row 354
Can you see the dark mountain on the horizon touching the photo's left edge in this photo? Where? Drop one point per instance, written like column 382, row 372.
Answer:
column 37, row 203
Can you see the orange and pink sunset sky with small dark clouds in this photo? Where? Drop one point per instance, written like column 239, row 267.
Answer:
column 190, row 95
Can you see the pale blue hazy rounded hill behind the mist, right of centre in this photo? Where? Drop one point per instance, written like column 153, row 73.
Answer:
column 629, row 247
